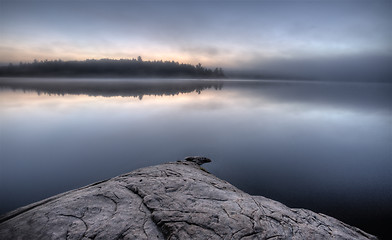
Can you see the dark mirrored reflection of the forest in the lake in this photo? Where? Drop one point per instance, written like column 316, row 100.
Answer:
column 110, row 88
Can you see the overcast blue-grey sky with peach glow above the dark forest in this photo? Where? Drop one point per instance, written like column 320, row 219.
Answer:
column 290, row 37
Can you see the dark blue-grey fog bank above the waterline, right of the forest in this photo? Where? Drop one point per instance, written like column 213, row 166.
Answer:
column 361, row 67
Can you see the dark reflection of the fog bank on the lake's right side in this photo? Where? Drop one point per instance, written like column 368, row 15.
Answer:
column 326, row 95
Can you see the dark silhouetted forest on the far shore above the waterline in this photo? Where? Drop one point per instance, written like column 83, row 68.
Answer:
column 109, row 67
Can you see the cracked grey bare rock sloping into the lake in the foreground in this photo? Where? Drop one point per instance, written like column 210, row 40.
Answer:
column 170, row 201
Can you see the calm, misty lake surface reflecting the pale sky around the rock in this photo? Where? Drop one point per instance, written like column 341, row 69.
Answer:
column 323, row 146
